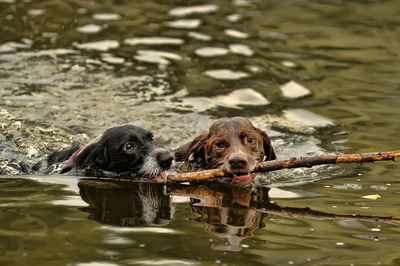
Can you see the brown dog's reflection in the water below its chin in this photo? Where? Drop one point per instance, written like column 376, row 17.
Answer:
column 227, row 212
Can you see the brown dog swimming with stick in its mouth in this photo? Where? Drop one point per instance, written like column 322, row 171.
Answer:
column 231, row 143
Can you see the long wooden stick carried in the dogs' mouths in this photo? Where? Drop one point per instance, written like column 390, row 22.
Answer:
column 290, row 163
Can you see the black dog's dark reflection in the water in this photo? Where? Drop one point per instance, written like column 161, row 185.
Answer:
column 127, row 203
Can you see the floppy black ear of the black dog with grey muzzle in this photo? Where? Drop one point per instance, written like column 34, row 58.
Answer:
column 95, row 155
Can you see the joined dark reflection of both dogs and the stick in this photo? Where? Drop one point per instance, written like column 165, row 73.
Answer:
column 226, row 211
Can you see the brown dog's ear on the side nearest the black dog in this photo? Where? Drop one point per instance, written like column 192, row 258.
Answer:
column 195, row 148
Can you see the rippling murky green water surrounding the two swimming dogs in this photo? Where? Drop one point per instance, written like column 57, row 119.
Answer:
column 318, row 76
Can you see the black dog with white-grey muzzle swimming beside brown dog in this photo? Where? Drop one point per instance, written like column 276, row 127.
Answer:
column 124, row 149
